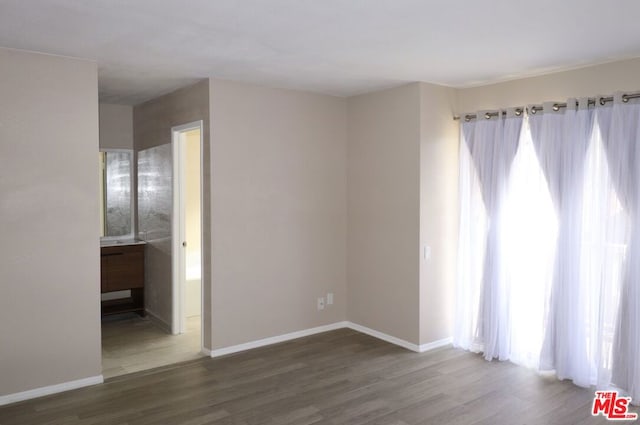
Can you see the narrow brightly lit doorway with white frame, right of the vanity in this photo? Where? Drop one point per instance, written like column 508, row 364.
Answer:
column 187, row 229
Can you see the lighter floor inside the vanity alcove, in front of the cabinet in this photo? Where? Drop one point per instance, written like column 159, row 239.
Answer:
column 131, row 343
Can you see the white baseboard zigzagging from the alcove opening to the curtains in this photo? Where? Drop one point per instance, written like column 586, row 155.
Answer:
column 312, row 331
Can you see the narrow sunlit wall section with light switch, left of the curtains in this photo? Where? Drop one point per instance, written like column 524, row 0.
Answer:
column 438, row 210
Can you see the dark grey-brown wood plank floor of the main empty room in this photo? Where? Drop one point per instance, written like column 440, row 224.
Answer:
column 339, row 377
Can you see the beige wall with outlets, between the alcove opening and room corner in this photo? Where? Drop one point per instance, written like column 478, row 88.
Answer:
column 279, row 208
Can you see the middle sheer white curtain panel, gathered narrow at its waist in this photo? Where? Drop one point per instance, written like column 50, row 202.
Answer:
column 561, row 139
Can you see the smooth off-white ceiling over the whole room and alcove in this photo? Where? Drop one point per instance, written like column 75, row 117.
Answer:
column 145, row 48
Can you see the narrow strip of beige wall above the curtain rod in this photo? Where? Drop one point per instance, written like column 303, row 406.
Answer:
column 601, row 79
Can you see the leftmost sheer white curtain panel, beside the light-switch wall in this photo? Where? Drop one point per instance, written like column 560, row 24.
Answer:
column 491, row 146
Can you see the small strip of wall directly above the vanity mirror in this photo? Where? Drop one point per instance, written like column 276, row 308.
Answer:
column 116, row 126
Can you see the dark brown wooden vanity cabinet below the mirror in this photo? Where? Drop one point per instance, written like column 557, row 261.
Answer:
column 122, row 269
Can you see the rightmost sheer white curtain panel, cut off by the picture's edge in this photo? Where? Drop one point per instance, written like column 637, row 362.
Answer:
column 620, row 131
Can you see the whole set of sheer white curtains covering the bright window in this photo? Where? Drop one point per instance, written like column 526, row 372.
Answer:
column 549, row 249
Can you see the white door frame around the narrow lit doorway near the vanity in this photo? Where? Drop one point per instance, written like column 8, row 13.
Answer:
column 178, row 260
